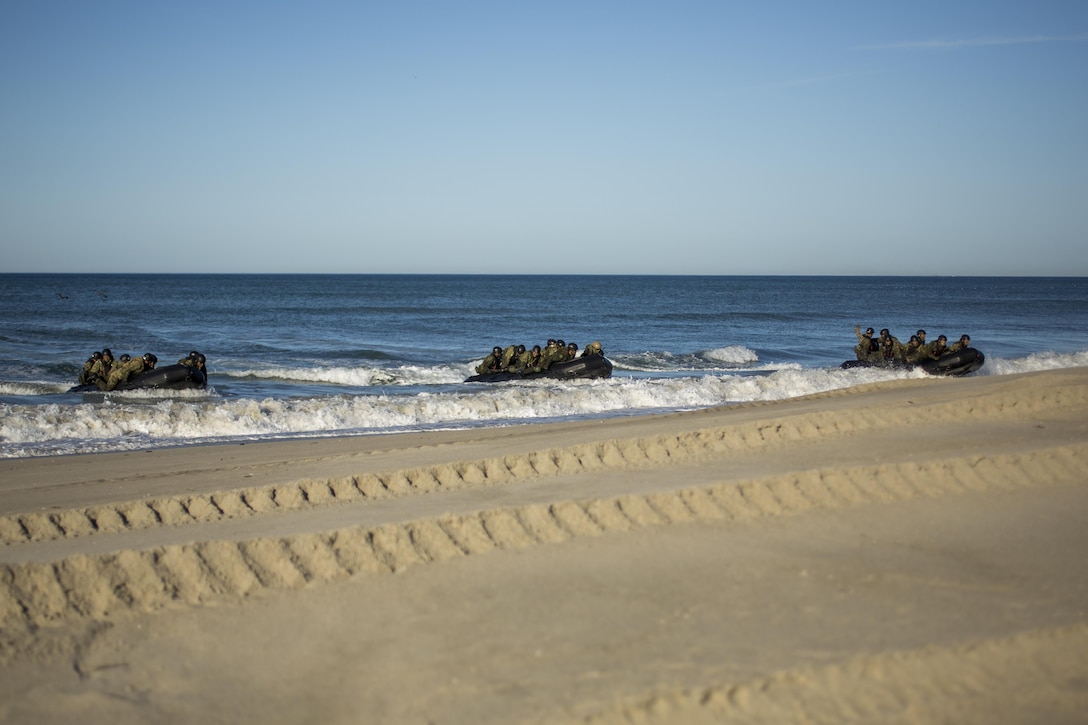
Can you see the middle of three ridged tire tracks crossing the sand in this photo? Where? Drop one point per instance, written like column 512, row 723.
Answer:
column 97, row 587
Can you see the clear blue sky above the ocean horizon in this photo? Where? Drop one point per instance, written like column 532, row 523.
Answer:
column 561, row 138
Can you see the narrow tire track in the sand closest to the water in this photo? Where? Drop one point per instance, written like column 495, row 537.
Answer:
column 622, row 454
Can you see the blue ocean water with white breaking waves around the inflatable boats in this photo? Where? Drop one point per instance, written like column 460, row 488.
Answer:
column 294, row 357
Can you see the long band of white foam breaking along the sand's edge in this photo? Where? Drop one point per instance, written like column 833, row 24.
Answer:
column 163, row 419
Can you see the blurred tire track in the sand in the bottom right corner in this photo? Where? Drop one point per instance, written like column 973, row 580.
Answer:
column 1048, row 667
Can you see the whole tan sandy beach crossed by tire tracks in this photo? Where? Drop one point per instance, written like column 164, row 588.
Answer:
column 912, row 551
